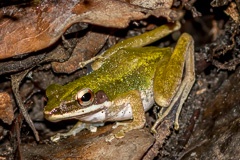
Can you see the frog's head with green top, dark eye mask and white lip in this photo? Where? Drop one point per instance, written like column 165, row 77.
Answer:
column 75, row 103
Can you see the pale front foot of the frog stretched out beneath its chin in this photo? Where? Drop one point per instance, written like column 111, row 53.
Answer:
column 77, row 128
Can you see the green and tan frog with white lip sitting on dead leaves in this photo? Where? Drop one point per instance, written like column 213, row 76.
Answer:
column 126, row 81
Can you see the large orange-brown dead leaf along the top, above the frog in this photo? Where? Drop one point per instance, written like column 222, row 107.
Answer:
column 29, row 29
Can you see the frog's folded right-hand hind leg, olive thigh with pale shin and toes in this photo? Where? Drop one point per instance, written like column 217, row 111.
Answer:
column 169, row 88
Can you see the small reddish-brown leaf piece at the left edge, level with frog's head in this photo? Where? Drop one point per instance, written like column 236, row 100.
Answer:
column 6, row 108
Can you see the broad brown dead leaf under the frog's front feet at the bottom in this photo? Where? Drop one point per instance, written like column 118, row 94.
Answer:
column 87, row 145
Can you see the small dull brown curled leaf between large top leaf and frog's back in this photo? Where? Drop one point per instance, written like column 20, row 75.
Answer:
column 86, row 48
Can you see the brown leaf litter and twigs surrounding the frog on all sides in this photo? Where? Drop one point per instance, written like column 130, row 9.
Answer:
column 42, row 42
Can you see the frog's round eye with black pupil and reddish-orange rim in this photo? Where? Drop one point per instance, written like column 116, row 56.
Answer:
column 85, row 97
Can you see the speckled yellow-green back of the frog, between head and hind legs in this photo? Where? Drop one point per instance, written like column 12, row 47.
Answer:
column 130, row 69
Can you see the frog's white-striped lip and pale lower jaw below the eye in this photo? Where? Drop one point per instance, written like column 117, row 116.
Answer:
column 93, row 113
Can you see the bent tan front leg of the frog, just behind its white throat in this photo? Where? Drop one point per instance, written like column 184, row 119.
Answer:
column 134, row 99
